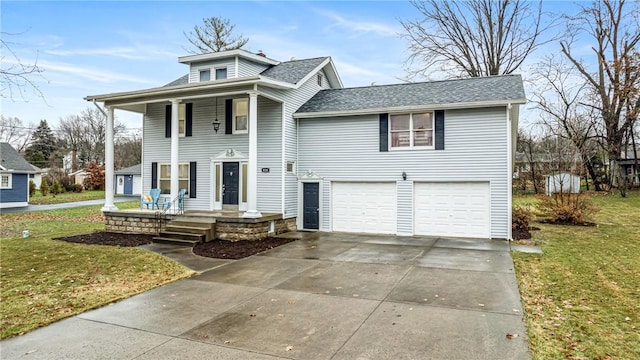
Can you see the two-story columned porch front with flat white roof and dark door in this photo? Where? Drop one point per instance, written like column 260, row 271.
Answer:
column 201, row 136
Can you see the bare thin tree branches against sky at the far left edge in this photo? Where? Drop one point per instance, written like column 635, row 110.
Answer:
column 16, row 76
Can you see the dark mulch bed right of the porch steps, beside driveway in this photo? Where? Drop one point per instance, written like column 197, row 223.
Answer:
column 223, row 249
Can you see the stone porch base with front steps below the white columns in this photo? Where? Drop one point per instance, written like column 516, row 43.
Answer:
column 194, row 226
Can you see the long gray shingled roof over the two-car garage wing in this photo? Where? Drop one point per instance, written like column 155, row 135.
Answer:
column 485, row 89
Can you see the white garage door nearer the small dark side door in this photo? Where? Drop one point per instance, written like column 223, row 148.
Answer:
column 364, row 207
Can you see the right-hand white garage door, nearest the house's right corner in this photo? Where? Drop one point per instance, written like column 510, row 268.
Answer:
column 452, row 209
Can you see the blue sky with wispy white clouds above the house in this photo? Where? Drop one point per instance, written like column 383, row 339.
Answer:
column 90, row 47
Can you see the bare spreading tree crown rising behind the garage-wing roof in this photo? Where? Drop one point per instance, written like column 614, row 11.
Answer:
column 473, row 38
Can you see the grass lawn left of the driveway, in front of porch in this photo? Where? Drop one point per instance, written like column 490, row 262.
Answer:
column 44, row 280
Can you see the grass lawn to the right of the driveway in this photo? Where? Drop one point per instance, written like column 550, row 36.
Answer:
column 582, row 296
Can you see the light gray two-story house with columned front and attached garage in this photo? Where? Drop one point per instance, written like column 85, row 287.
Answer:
column 246, row 133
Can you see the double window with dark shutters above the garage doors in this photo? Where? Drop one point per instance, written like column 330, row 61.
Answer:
column 413, row 130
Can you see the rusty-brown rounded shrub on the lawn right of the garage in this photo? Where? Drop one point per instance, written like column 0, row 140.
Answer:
column 567, row 208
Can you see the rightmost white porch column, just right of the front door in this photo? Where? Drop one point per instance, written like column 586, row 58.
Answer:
column 252, row 165
